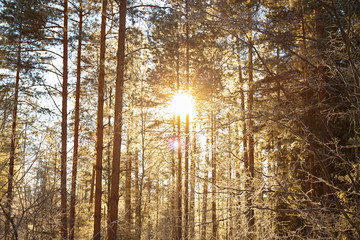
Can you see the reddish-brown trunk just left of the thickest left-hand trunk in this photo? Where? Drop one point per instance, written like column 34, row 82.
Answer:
column 100, row 126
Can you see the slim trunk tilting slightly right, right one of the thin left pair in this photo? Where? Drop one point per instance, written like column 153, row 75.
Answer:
column 76, row 130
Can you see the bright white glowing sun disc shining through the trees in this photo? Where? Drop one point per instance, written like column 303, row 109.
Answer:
column 183, row 104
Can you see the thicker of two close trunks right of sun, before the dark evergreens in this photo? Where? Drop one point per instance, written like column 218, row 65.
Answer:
column 250, row 213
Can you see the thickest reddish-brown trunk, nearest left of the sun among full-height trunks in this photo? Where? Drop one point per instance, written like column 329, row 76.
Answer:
column 115, row 173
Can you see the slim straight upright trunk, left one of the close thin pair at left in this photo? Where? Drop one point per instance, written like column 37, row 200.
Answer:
column 64, row 223
